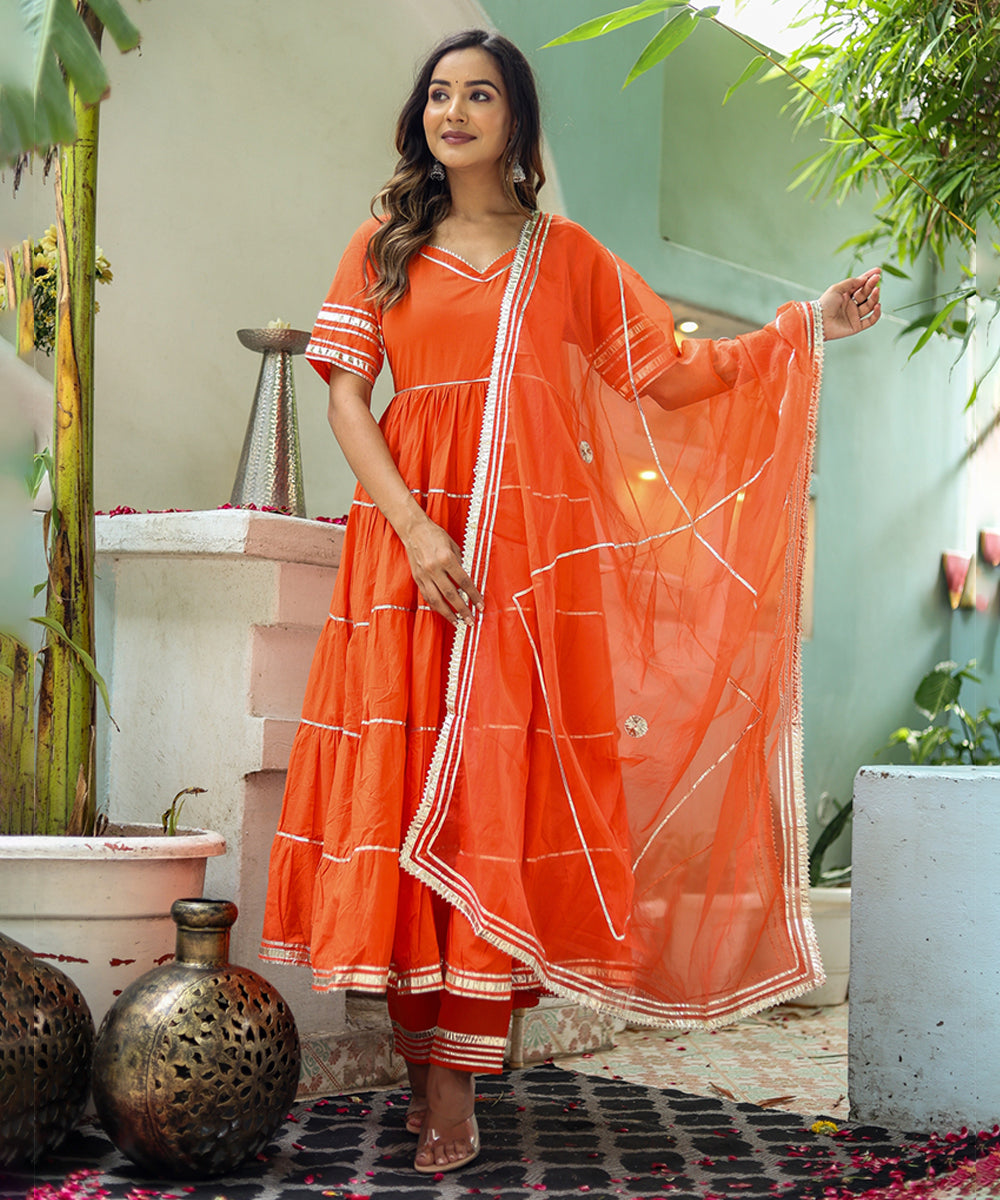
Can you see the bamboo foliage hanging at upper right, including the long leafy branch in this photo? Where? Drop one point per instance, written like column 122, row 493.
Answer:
column 908, row 94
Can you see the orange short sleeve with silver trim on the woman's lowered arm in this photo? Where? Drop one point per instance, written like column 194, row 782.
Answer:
column 348, row 333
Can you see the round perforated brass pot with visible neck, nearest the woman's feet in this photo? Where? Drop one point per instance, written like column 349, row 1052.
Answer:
column 199, row 1060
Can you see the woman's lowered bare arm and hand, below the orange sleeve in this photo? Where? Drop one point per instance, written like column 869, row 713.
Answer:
column 435, row 560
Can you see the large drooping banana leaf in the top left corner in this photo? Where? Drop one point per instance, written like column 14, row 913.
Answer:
column 44, row 39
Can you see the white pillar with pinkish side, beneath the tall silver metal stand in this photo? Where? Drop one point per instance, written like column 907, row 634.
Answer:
column 211, row 625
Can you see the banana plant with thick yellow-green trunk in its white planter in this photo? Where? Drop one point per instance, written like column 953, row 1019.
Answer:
column 49, row 812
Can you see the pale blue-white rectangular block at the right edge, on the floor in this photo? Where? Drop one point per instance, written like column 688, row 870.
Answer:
column 925, row 999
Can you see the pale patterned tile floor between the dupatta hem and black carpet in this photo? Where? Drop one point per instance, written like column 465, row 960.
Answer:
column 791, row 1058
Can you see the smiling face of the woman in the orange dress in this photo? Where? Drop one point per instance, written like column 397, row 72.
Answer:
column 468, row 119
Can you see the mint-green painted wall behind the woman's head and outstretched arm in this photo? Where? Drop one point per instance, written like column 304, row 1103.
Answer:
column 666, row 160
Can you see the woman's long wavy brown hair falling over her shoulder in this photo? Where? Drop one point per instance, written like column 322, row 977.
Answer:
column 412, row 203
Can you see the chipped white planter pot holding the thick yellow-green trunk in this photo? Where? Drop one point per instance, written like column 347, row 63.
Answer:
column 100, row 908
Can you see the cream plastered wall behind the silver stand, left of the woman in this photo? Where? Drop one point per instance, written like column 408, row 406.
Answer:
column 239, row 151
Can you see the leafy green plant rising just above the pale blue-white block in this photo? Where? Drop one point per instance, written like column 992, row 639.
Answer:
column 954, row 735
